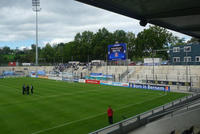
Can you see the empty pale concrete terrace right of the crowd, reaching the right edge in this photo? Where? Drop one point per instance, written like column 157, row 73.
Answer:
column 163, row 73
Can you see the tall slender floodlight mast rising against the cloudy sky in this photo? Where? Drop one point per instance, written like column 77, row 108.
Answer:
column 36, row 9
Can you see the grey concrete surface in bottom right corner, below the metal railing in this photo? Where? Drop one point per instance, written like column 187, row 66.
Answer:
column 180, row 121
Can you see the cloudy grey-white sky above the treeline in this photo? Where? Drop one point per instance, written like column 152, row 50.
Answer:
column 59, row 21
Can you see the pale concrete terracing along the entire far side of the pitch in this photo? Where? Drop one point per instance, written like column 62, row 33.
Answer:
column 136, row 73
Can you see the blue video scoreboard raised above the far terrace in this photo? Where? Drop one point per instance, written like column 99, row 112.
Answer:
column 117, row 52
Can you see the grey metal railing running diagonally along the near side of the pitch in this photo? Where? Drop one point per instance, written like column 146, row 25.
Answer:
column 119, row 126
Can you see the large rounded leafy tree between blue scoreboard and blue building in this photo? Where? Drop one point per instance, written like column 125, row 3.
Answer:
column 149, row 40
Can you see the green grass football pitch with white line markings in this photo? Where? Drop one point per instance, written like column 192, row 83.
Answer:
column 59, row 107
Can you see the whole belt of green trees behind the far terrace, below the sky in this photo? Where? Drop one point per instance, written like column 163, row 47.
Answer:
column 89, row 46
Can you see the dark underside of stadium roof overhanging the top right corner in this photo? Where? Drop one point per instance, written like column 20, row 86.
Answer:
column 178, row 15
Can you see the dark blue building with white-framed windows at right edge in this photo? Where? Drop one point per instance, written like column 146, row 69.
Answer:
column 185, row 54
